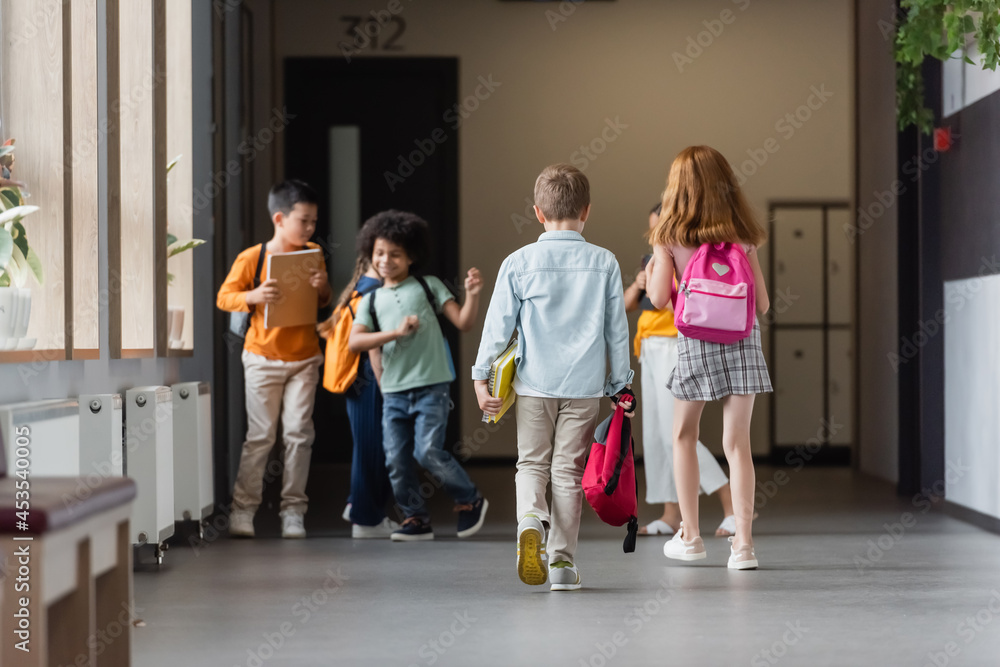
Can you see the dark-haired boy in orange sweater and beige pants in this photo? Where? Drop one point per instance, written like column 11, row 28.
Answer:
column 280, row 365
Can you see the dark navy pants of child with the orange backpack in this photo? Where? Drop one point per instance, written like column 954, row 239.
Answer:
column 369, row 479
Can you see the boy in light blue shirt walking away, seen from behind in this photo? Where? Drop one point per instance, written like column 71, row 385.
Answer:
column 564, row 296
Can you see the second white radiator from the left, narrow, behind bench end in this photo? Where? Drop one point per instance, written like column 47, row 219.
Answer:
column 101, row 435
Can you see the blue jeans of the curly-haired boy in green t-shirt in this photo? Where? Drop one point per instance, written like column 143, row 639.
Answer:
column 413, row 426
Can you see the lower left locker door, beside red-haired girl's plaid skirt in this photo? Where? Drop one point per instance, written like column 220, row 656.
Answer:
column 798, row 393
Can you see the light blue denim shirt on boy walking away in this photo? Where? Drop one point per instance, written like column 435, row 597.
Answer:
column 565, row 298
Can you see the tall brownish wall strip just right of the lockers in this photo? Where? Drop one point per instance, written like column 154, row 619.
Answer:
column 878, row 425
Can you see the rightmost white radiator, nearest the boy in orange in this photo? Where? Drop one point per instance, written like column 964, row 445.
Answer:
column 193, row 488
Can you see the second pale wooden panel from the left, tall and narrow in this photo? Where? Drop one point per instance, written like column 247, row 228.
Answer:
column 83, row 157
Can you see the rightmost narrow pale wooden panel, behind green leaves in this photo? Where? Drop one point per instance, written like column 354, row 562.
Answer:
column 180, row 184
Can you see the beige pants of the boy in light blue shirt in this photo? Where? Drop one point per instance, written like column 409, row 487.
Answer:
column 554, row 436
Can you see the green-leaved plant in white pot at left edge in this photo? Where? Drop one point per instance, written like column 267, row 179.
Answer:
column 18, row 260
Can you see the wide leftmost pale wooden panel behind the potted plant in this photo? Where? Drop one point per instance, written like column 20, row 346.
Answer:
column 32, row 78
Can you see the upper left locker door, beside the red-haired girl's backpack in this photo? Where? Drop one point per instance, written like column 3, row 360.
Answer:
column 797, row 293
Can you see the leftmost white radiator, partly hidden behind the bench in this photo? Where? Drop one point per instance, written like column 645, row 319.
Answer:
column 52, row 428
